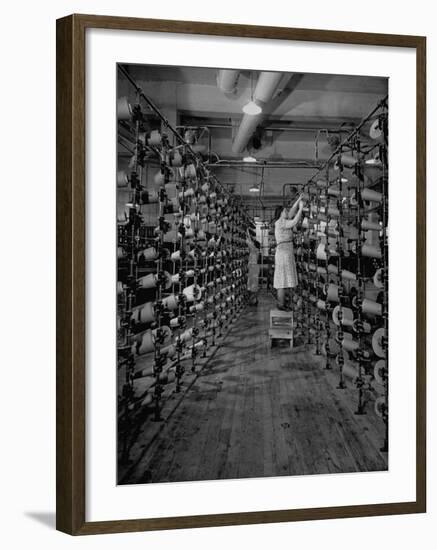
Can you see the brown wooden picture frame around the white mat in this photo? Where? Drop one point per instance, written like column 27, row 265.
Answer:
column 71, row 246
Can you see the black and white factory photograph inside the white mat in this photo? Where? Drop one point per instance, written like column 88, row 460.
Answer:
column 252, row 273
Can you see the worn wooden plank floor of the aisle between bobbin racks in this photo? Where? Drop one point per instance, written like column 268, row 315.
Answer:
column 255, row 411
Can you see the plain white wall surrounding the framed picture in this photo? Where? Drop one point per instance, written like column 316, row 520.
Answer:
column 27, row 402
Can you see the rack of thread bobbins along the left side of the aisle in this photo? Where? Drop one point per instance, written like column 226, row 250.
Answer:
column 182, row 258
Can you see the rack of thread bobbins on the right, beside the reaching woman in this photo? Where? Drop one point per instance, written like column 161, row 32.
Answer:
column 342, row 263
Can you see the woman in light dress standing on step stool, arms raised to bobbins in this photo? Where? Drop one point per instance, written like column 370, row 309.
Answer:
column 285, row 277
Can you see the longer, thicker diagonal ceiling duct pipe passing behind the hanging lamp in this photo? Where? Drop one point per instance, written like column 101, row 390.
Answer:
column 264, row 90
